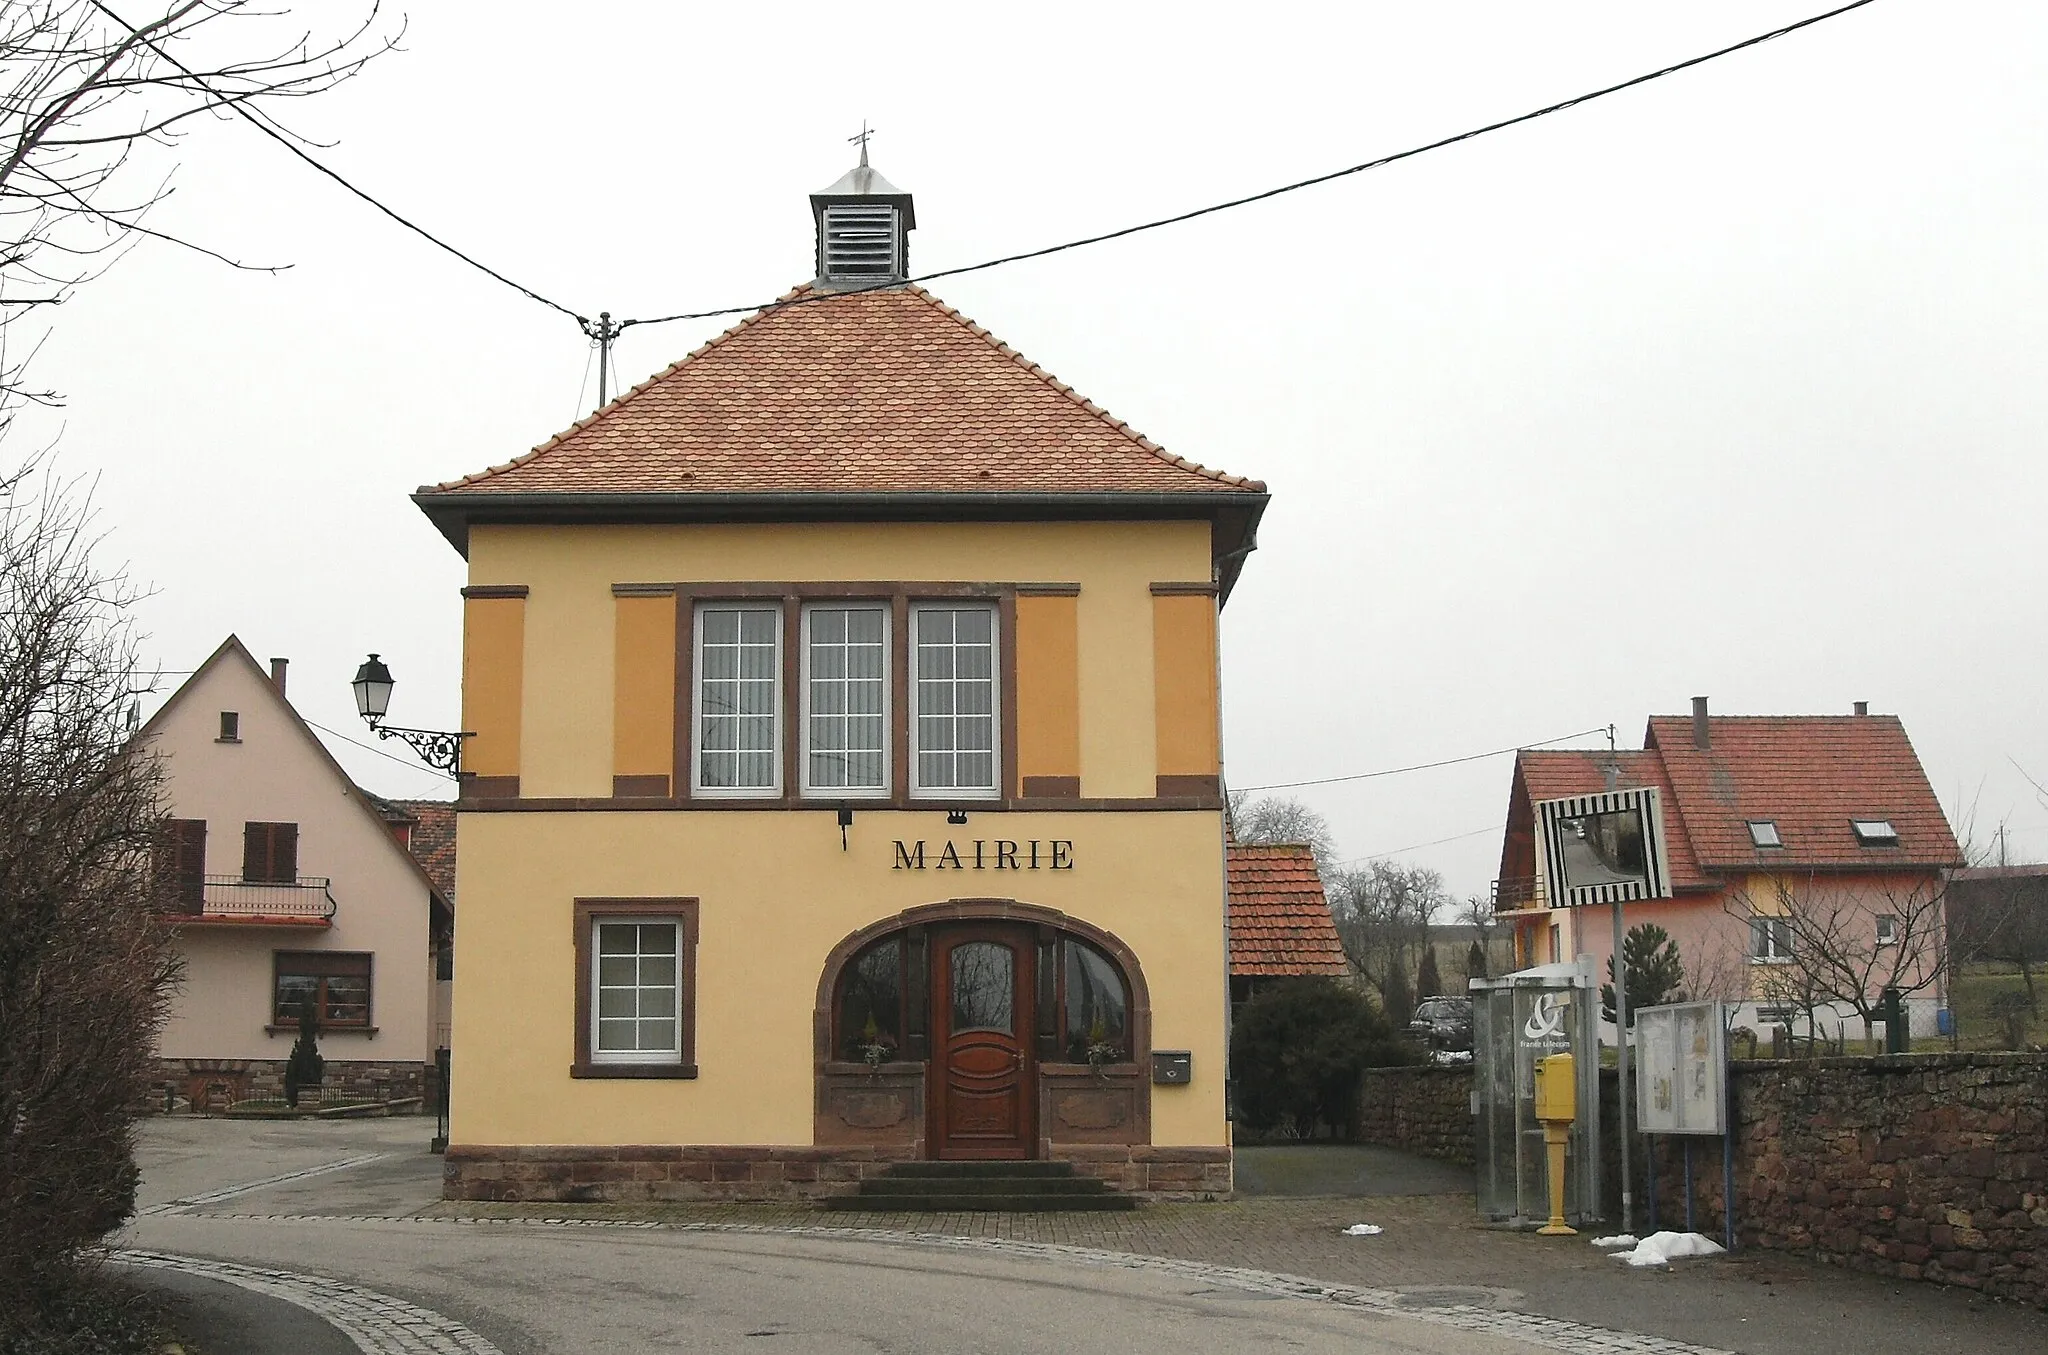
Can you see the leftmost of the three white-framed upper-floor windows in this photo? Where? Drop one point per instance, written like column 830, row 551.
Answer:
column 738, row 701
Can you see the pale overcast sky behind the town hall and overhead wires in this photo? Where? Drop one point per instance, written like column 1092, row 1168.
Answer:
column 1730, row 386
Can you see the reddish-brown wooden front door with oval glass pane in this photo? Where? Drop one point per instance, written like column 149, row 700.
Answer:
column 984, row 1078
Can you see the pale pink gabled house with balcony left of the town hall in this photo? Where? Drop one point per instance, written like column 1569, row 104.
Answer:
column 290, row 887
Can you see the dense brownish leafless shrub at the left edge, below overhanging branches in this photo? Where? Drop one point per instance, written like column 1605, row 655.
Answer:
column 85, row 971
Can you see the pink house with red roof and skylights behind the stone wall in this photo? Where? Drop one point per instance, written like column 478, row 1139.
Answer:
column 1807, row 853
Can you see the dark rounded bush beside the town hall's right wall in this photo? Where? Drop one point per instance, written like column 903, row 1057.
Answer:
column 1297, row 1051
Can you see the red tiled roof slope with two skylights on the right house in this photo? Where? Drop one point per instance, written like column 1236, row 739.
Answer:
column 1811, row 775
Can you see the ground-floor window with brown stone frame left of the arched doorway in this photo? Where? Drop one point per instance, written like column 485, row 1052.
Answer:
column 636, row 988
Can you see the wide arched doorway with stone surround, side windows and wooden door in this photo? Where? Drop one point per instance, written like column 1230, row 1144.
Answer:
column 982, row 1031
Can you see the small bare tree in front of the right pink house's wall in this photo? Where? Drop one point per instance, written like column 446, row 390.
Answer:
column 1840, row 945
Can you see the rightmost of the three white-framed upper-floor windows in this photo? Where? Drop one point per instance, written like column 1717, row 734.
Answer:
column 953, row 701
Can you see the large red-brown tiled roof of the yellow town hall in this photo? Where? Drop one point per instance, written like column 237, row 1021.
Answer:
column 882, row 392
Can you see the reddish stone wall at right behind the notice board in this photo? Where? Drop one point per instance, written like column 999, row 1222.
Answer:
column 1916, row 1168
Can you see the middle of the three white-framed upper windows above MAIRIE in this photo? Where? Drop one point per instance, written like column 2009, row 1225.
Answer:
column 847, row 701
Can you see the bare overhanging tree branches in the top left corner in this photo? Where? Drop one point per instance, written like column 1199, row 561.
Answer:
column 93, row 99
